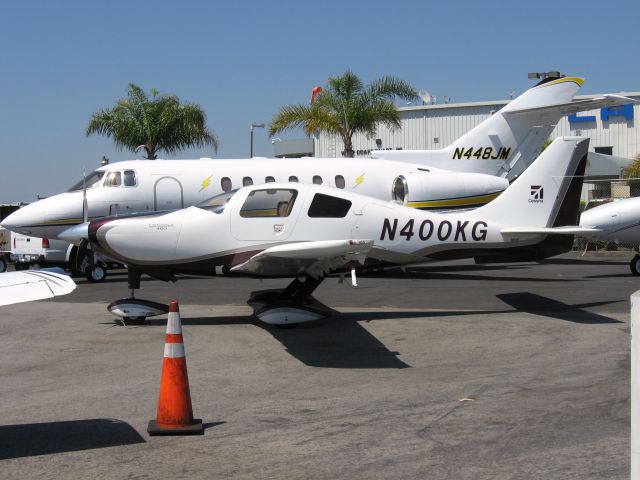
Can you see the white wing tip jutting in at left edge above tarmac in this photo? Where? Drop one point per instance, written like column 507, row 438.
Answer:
column 29, row 285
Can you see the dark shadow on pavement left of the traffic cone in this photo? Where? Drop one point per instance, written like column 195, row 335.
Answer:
column 34, row 439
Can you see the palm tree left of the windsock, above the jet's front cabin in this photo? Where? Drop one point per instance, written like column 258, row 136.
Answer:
column 157, row 123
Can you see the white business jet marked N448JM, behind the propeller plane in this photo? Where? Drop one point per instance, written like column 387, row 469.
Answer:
column 482, row 161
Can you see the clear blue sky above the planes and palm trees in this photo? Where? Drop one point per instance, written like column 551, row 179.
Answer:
column 241, row 61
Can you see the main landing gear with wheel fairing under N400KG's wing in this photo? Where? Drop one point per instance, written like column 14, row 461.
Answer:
column 290, row 305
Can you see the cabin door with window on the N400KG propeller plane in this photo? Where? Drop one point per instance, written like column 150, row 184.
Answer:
column 266, row 214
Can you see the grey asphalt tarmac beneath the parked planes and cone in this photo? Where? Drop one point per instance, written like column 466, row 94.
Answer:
column 445, row 371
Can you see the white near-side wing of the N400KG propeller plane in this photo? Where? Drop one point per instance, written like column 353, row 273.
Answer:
column 310, row 258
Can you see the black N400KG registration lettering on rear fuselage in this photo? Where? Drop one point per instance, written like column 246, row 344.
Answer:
column 459, row 230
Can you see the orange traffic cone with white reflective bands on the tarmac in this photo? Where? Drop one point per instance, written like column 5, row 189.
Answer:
column 175, row 415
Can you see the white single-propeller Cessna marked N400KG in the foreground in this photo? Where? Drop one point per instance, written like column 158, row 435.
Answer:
column 310, row 231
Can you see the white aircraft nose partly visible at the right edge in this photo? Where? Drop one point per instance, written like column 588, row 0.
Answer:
column 617, row 221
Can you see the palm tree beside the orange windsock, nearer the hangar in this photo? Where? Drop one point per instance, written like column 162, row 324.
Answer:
column 347, row 107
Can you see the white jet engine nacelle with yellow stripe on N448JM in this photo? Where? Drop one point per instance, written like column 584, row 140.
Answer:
column 444, row 190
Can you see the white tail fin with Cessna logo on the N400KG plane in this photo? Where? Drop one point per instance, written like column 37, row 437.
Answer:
column 547, row 194
